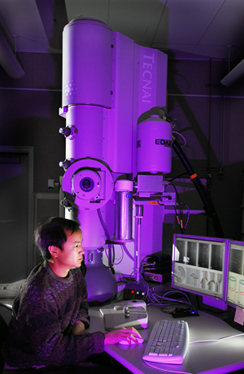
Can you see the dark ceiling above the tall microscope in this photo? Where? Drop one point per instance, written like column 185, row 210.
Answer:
column 207, row 28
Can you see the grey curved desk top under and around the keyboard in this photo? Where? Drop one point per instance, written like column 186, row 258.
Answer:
column 211, row 358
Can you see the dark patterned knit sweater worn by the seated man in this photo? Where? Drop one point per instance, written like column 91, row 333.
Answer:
column 43, row 315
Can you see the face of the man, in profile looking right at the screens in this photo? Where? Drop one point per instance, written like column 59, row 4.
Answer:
column 71, row 255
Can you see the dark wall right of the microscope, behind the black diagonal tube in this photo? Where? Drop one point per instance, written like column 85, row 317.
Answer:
column 210, row 117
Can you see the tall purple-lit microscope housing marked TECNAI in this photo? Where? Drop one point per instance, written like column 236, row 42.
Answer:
column 110, row 84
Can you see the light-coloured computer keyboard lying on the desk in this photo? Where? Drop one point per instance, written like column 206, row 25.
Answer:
column 168, row 342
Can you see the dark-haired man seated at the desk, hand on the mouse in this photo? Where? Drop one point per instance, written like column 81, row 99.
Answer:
column 47, row 329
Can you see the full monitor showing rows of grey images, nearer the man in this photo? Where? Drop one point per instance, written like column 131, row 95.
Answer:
column 199, row 266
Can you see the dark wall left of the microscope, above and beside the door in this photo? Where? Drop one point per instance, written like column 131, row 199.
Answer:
column 29, row 114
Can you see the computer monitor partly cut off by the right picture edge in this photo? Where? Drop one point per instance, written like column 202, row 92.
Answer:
column 235, row 289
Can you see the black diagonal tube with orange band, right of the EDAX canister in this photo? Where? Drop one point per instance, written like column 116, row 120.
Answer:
column 207, row 202
